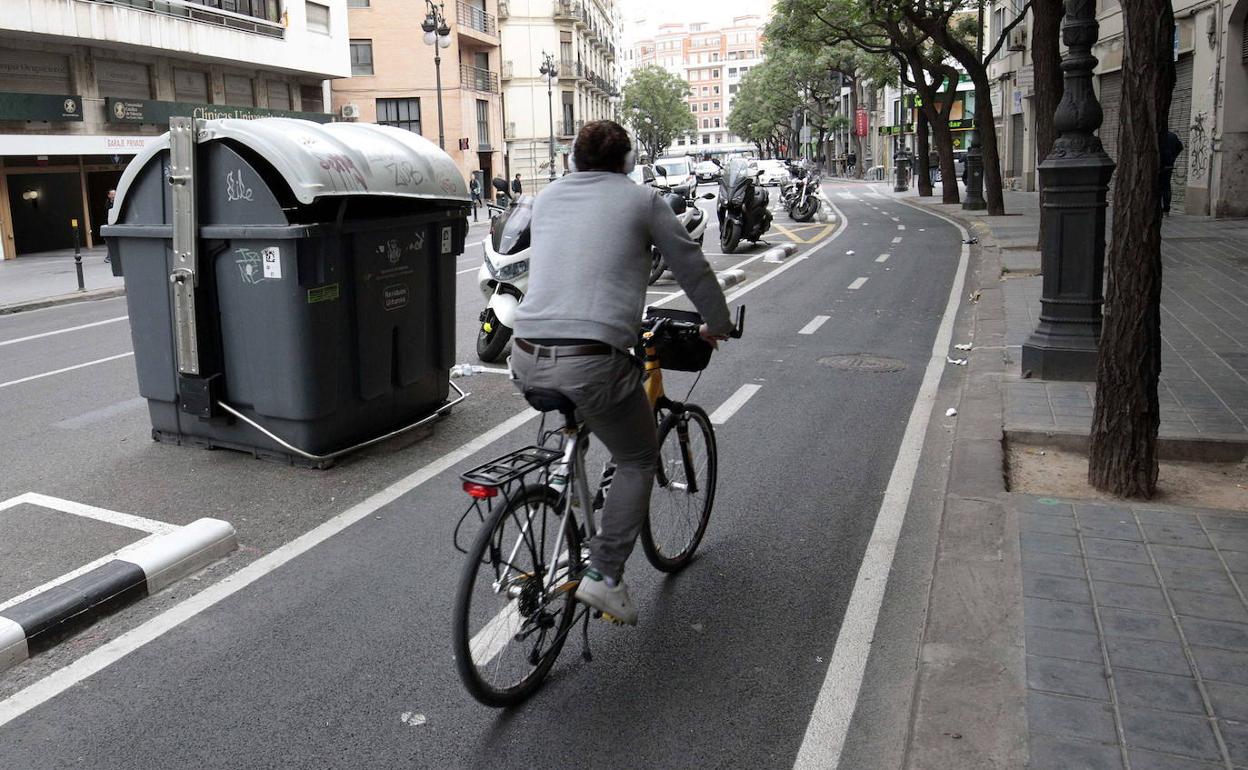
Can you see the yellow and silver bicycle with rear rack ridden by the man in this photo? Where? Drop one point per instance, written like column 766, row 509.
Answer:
column 516, row 601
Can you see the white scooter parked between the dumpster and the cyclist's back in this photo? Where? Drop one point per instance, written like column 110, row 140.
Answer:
column 504, row 278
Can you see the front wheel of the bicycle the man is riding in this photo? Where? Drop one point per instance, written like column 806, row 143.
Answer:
column 685, row 490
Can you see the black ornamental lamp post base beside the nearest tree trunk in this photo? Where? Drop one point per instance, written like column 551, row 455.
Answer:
column 1075, row 178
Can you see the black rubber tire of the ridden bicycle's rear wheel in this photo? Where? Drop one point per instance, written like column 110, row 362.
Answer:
column 465, row 638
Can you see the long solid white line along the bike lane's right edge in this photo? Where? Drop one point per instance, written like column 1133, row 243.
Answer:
column 838, row 698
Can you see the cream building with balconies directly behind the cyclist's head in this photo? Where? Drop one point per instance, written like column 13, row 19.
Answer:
column 544, row 117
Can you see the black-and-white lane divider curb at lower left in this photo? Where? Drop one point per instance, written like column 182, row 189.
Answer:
column 42, row 622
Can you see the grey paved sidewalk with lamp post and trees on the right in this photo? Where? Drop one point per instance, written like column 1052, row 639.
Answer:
column 1091, row 635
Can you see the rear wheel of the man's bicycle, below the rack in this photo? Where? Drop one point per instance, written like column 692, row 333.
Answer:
column 509, row 627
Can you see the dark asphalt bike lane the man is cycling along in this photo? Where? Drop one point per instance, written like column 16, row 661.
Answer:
column 343, row 657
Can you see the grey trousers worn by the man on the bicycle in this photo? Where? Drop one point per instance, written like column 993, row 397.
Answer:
column 608, row 394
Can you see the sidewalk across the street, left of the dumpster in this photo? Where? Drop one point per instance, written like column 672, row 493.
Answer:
column 51, row 279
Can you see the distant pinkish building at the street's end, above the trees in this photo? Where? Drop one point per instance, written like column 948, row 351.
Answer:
column 713, row 62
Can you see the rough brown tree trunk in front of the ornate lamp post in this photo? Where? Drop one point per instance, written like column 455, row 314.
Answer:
column 1123, row 456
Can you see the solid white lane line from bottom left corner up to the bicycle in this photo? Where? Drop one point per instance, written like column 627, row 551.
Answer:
column 97, row 661
